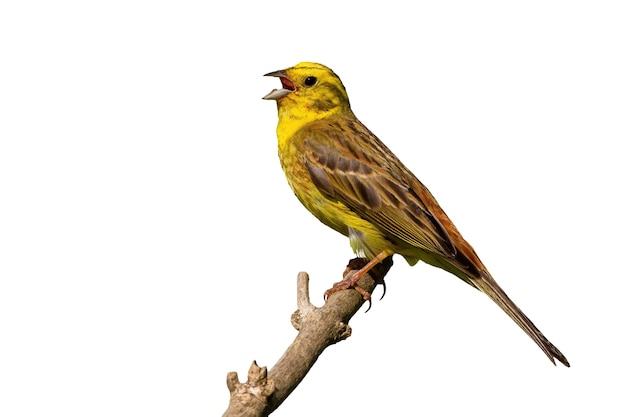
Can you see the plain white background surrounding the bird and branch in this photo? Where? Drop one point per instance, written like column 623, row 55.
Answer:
column 149, row 243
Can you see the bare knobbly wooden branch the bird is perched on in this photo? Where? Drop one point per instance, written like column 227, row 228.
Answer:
column 318, row 328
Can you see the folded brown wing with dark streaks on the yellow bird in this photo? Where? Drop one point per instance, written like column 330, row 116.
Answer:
column 348, row 163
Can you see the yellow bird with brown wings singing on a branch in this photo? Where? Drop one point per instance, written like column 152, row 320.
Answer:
column 347, row 178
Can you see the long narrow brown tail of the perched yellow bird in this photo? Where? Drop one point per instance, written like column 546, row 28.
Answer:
column 490, row 287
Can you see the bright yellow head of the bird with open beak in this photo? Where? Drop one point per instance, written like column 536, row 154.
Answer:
column 309, row 92
